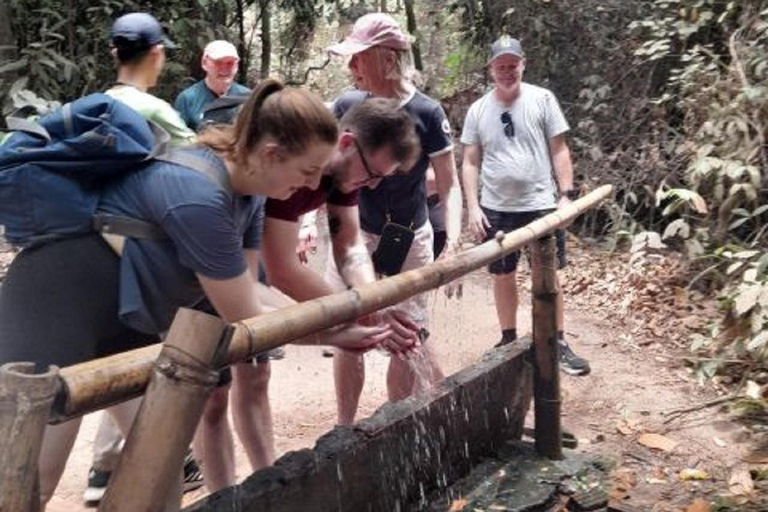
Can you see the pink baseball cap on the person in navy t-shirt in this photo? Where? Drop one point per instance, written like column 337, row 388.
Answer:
column 371, row 30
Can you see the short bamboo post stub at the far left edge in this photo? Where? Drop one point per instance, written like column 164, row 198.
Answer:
column 25, row 404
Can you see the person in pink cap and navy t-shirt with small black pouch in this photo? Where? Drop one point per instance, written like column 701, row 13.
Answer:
column 393, row 215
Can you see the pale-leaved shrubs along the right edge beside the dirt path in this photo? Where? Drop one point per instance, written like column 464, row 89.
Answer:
column 711, row 62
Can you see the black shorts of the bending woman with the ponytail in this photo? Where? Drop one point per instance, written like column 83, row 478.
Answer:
column 59, row 305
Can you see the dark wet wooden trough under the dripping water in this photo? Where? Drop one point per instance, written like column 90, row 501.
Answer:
column 407, row 450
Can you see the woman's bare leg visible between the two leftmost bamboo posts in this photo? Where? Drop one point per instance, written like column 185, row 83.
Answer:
column 58, row 441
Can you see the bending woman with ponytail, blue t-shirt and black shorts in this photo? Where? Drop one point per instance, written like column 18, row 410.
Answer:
column 74, row 300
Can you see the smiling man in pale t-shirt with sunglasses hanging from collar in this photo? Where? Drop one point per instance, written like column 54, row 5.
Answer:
column 514, row 138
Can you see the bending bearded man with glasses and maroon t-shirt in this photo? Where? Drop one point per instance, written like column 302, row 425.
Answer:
column 376, row 139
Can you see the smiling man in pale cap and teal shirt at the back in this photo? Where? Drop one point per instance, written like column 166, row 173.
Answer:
column 220, row 63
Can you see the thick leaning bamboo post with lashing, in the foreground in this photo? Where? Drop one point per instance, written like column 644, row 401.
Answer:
column 148, row 475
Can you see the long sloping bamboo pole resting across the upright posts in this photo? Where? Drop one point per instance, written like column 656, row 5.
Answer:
column 94, row 385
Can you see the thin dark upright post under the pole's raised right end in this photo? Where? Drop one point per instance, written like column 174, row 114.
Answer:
column 546, row 351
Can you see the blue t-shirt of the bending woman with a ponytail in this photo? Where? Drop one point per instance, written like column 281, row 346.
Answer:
column 207, row 226
